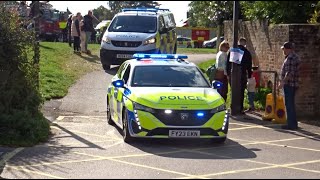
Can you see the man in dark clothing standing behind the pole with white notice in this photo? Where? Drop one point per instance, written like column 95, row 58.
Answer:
column 246, row 70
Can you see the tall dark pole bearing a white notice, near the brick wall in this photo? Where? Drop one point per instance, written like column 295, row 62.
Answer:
column 235, row 71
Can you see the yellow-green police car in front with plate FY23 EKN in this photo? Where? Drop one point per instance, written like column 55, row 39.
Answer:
column 165, row 96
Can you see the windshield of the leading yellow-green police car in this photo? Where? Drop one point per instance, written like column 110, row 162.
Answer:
column 168, row 76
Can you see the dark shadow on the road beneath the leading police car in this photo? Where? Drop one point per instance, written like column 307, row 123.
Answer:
column 192, row 148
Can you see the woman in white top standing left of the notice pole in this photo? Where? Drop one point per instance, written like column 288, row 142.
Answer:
column 221, row 73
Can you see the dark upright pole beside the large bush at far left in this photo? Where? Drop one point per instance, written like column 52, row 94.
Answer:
column 36, row 58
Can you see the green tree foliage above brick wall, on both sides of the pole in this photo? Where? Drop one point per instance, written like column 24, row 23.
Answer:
column 212, row 13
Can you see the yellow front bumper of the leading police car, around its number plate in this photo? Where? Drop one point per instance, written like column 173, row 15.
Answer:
column 148, row 126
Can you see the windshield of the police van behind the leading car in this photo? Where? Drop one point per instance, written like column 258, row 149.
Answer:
column 142, row 24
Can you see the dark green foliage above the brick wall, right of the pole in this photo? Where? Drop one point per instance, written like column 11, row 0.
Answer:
column 279, row 11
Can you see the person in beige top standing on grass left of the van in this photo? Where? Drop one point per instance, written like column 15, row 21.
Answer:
column 75, row 32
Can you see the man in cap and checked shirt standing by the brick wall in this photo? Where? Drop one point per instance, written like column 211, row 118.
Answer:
column 289, row 82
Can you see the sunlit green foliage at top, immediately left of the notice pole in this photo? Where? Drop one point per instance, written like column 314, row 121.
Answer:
column 209, row 13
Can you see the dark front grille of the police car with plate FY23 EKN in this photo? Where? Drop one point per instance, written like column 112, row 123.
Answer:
column 183, row 117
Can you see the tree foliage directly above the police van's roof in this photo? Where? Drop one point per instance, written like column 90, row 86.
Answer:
column 116, row 6
